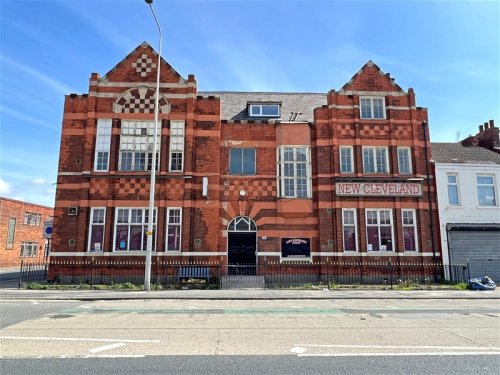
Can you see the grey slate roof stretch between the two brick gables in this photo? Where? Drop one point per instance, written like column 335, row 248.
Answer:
column 234, row 105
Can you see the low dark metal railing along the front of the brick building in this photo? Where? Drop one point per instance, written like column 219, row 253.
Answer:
column 168, row 274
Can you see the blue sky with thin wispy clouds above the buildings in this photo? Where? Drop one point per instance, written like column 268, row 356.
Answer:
column 448, row 51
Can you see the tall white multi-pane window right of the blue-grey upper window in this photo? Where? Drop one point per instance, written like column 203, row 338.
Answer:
column 294, row 171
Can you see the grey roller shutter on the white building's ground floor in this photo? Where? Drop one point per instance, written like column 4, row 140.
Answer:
column 481, row 248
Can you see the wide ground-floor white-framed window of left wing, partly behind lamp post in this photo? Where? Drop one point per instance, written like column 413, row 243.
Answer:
column 131, row 225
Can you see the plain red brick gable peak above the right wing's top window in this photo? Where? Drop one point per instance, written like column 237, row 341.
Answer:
column 371, row 78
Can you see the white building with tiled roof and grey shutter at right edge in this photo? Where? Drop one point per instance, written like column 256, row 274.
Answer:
column 467, row 184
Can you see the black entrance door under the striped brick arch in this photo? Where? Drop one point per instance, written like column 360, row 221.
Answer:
column 241, row 253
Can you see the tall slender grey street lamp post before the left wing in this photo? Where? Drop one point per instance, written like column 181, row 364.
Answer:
column 149, row 243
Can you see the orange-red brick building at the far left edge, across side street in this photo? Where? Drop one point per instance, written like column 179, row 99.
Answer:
column 21, row 232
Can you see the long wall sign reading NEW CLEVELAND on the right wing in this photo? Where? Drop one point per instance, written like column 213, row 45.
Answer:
column 395, row 189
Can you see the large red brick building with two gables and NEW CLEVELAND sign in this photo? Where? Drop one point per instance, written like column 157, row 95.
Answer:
column 243, row 177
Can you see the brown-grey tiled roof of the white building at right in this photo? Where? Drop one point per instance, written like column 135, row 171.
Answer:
column 456, row 153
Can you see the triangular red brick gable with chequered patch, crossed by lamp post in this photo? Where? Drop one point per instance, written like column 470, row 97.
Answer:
column 167, row 72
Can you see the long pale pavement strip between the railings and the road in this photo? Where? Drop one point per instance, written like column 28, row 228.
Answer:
column 245, row 294
